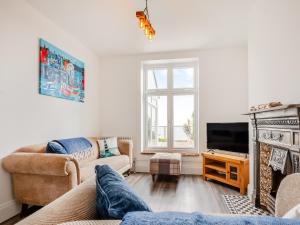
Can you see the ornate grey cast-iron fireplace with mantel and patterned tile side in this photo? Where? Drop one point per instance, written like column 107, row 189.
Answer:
column 276, row 151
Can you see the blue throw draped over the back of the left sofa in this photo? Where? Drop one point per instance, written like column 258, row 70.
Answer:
column 74, row 145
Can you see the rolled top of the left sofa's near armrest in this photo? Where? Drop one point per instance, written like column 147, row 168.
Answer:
column 41, row 164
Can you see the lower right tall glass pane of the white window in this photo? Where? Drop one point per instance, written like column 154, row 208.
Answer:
column 183, row 124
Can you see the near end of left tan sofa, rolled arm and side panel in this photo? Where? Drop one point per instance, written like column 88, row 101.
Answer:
column 39, row 178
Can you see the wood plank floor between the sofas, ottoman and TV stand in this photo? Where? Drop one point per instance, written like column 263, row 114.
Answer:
column 187, row 194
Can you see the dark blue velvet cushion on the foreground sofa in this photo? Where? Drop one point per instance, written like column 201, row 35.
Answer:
column 114, row 198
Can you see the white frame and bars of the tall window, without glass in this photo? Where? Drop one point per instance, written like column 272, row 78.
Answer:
column 170, row 92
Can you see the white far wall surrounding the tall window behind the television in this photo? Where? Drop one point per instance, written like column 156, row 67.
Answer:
column 223, row 95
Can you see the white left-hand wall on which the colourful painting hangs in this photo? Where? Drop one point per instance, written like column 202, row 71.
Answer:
column 25, row 116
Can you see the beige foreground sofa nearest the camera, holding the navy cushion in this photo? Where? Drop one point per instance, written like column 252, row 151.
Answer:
column 79, row 205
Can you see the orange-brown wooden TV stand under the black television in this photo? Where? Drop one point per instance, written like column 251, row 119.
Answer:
column 228, row 169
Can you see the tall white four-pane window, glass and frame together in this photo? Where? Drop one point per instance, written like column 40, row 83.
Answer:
column 170, row 111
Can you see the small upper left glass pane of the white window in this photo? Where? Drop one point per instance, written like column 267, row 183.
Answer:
column 157, row 79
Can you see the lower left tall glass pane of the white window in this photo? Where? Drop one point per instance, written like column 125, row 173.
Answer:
column 157, row 121
